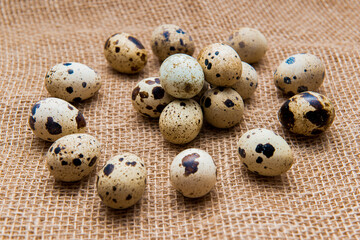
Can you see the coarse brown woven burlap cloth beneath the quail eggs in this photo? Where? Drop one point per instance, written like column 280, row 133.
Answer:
column 318, row 197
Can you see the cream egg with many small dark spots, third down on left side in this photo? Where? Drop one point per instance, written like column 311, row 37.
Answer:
column 73, row 157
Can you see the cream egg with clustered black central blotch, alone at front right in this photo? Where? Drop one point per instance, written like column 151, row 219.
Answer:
column 264, row 152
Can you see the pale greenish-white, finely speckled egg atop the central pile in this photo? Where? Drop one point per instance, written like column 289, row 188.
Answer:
column 181, row 76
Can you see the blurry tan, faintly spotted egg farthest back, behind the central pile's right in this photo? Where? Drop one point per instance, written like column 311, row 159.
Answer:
column 249, row 43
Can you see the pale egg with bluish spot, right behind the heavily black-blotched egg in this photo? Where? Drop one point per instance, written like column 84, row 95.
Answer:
column 299, row 73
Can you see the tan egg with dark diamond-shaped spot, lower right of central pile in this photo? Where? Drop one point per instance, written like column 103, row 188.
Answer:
column 222, row 107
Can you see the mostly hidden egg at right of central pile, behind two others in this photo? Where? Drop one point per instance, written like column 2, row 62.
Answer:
column 248, row 82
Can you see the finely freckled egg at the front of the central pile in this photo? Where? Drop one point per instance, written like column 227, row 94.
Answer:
column 181, row 121
